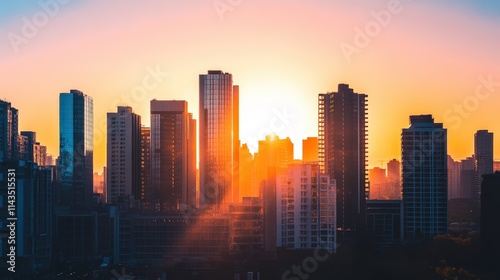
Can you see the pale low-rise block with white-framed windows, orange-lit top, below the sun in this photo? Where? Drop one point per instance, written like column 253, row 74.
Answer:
column 305, row 201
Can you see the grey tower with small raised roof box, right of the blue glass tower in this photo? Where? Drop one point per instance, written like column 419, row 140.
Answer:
column 123, row 156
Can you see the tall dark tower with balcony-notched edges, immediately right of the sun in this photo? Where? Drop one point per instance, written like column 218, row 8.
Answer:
column 342, row 142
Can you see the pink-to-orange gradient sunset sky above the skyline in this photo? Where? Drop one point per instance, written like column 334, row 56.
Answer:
column 428, row 59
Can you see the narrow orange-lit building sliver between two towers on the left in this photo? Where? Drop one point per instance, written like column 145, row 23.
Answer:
column 146, row 194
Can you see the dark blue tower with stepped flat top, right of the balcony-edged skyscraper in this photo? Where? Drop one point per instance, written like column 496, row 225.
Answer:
column 424, row 178
